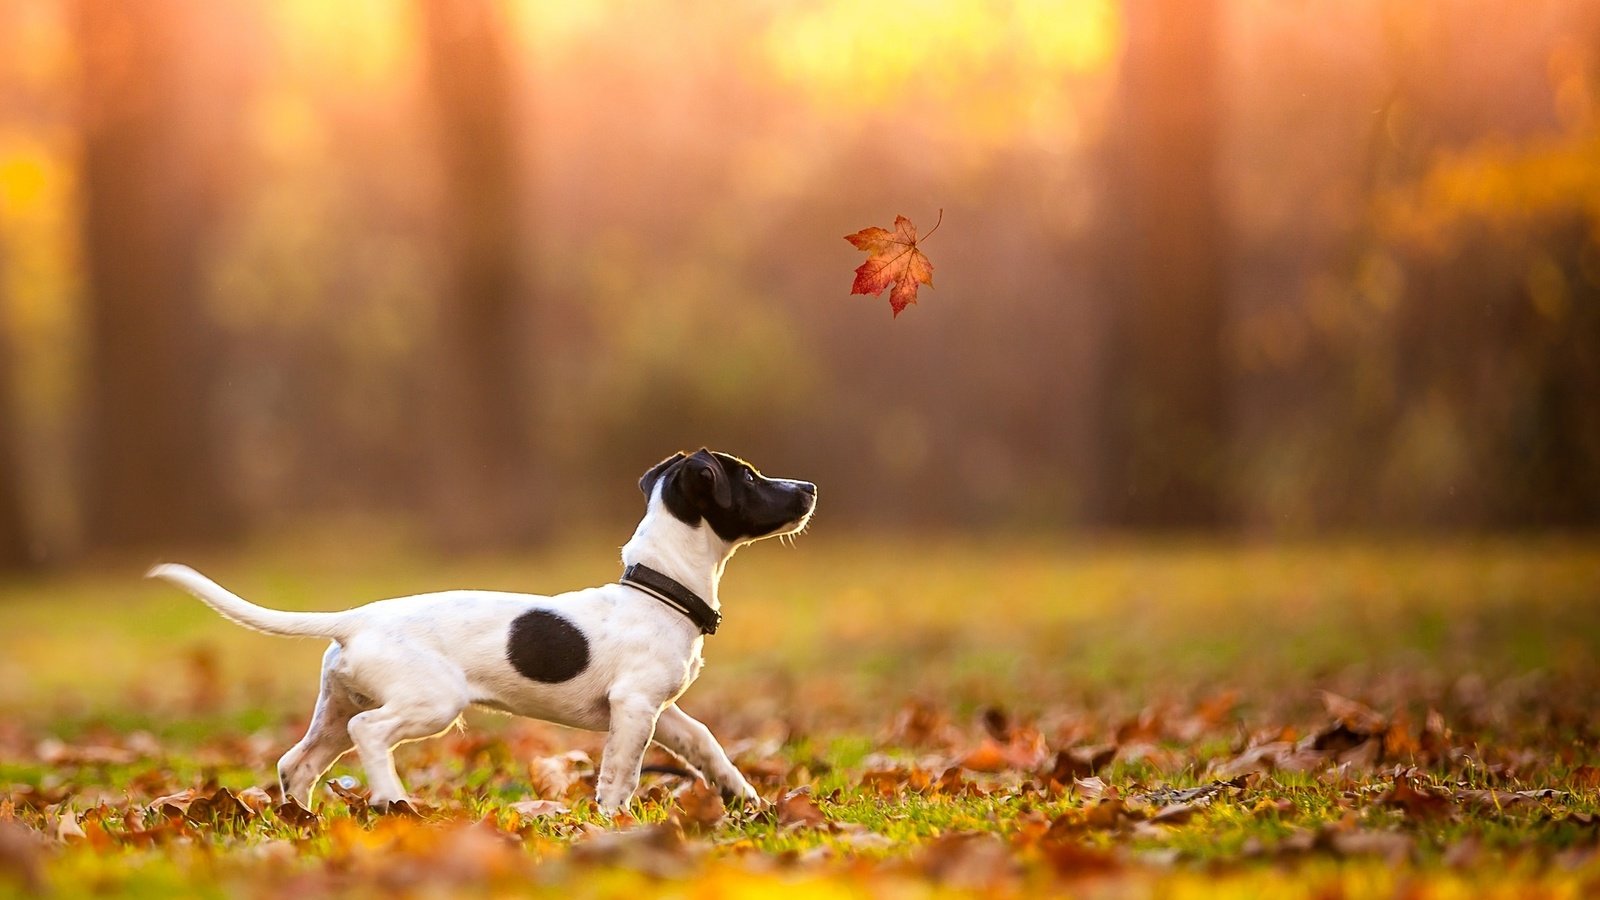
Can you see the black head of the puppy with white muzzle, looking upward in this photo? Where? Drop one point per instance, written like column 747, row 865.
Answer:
column 726, row 492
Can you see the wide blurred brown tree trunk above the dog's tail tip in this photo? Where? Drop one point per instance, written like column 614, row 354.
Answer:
column 148, row 191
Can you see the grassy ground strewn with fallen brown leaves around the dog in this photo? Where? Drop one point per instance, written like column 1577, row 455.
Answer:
column 927, row 717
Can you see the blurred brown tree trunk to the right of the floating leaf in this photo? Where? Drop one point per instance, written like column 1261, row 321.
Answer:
column 1164, row 420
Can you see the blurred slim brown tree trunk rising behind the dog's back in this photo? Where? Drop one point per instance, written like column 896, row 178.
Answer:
column 486, row 470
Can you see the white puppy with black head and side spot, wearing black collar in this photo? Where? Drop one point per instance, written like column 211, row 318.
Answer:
column 612, row 659
